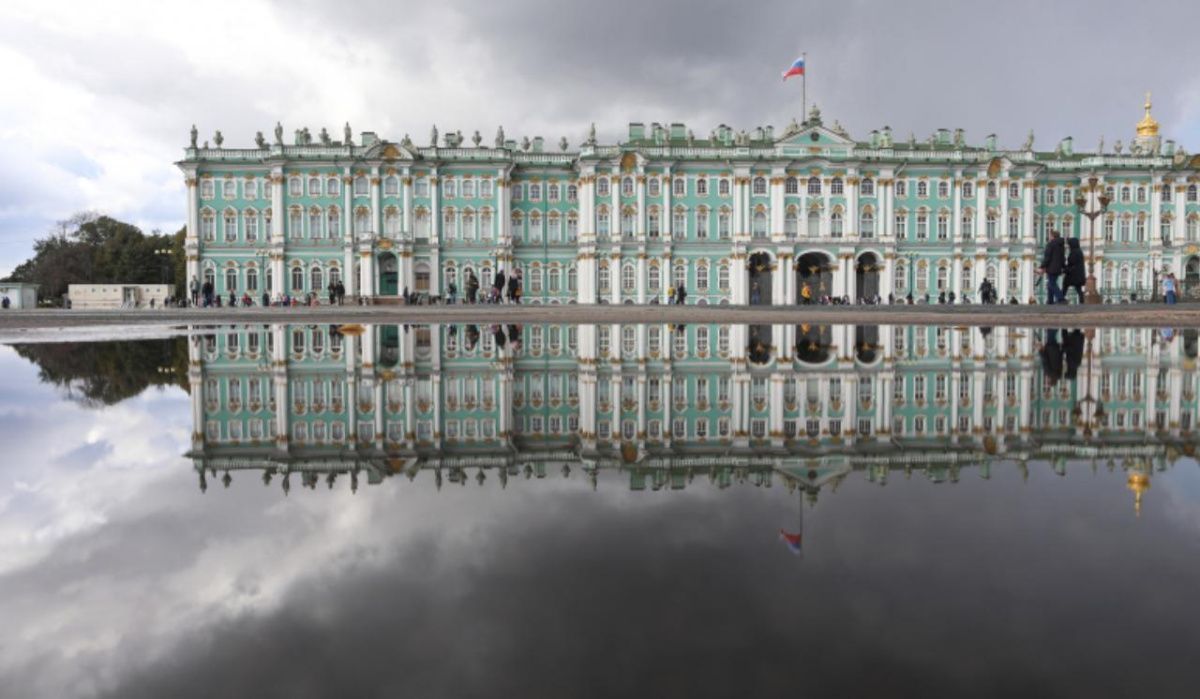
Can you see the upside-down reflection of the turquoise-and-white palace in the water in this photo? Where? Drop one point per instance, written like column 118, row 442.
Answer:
column 668, row 404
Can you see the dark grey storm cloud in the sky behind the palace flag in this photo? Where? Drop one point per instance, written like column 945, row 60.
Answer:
column 1063, row 69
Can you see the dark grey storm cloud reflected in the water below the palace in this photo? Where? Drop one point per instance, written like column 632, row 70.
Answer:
column 1029, row 592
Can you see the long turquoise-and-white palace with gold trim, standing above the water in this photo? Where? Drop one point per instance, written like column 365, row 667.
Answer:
column 751, row 217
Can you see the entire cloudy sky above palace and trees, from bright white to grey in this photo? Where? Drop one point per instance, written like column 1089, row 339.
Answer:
column 100, row 97
